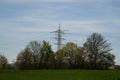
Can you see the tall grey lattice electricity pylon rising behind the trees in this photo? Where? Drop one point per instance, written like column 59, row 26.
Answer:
column 58, row 37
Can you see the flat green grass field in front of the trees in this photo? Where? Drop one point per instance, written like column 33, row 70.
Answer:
column 60, row 75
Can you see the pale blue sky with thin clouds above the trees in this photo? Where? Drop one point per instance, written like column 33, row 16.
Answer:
column 22, row 21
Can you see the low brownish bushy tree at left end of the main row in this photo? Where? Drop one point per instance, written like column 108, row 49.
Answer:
column 24, row 60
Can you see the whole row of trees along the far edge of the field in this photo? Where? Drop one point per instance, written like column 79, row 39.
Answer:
column 94, row 54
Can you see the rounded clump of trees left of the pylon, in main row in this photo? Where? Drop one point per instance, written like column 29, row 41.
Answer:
column 36, row 55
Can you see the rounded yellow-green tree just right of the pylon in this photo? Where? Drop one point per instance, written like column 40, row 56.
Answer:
column 71, row 55
